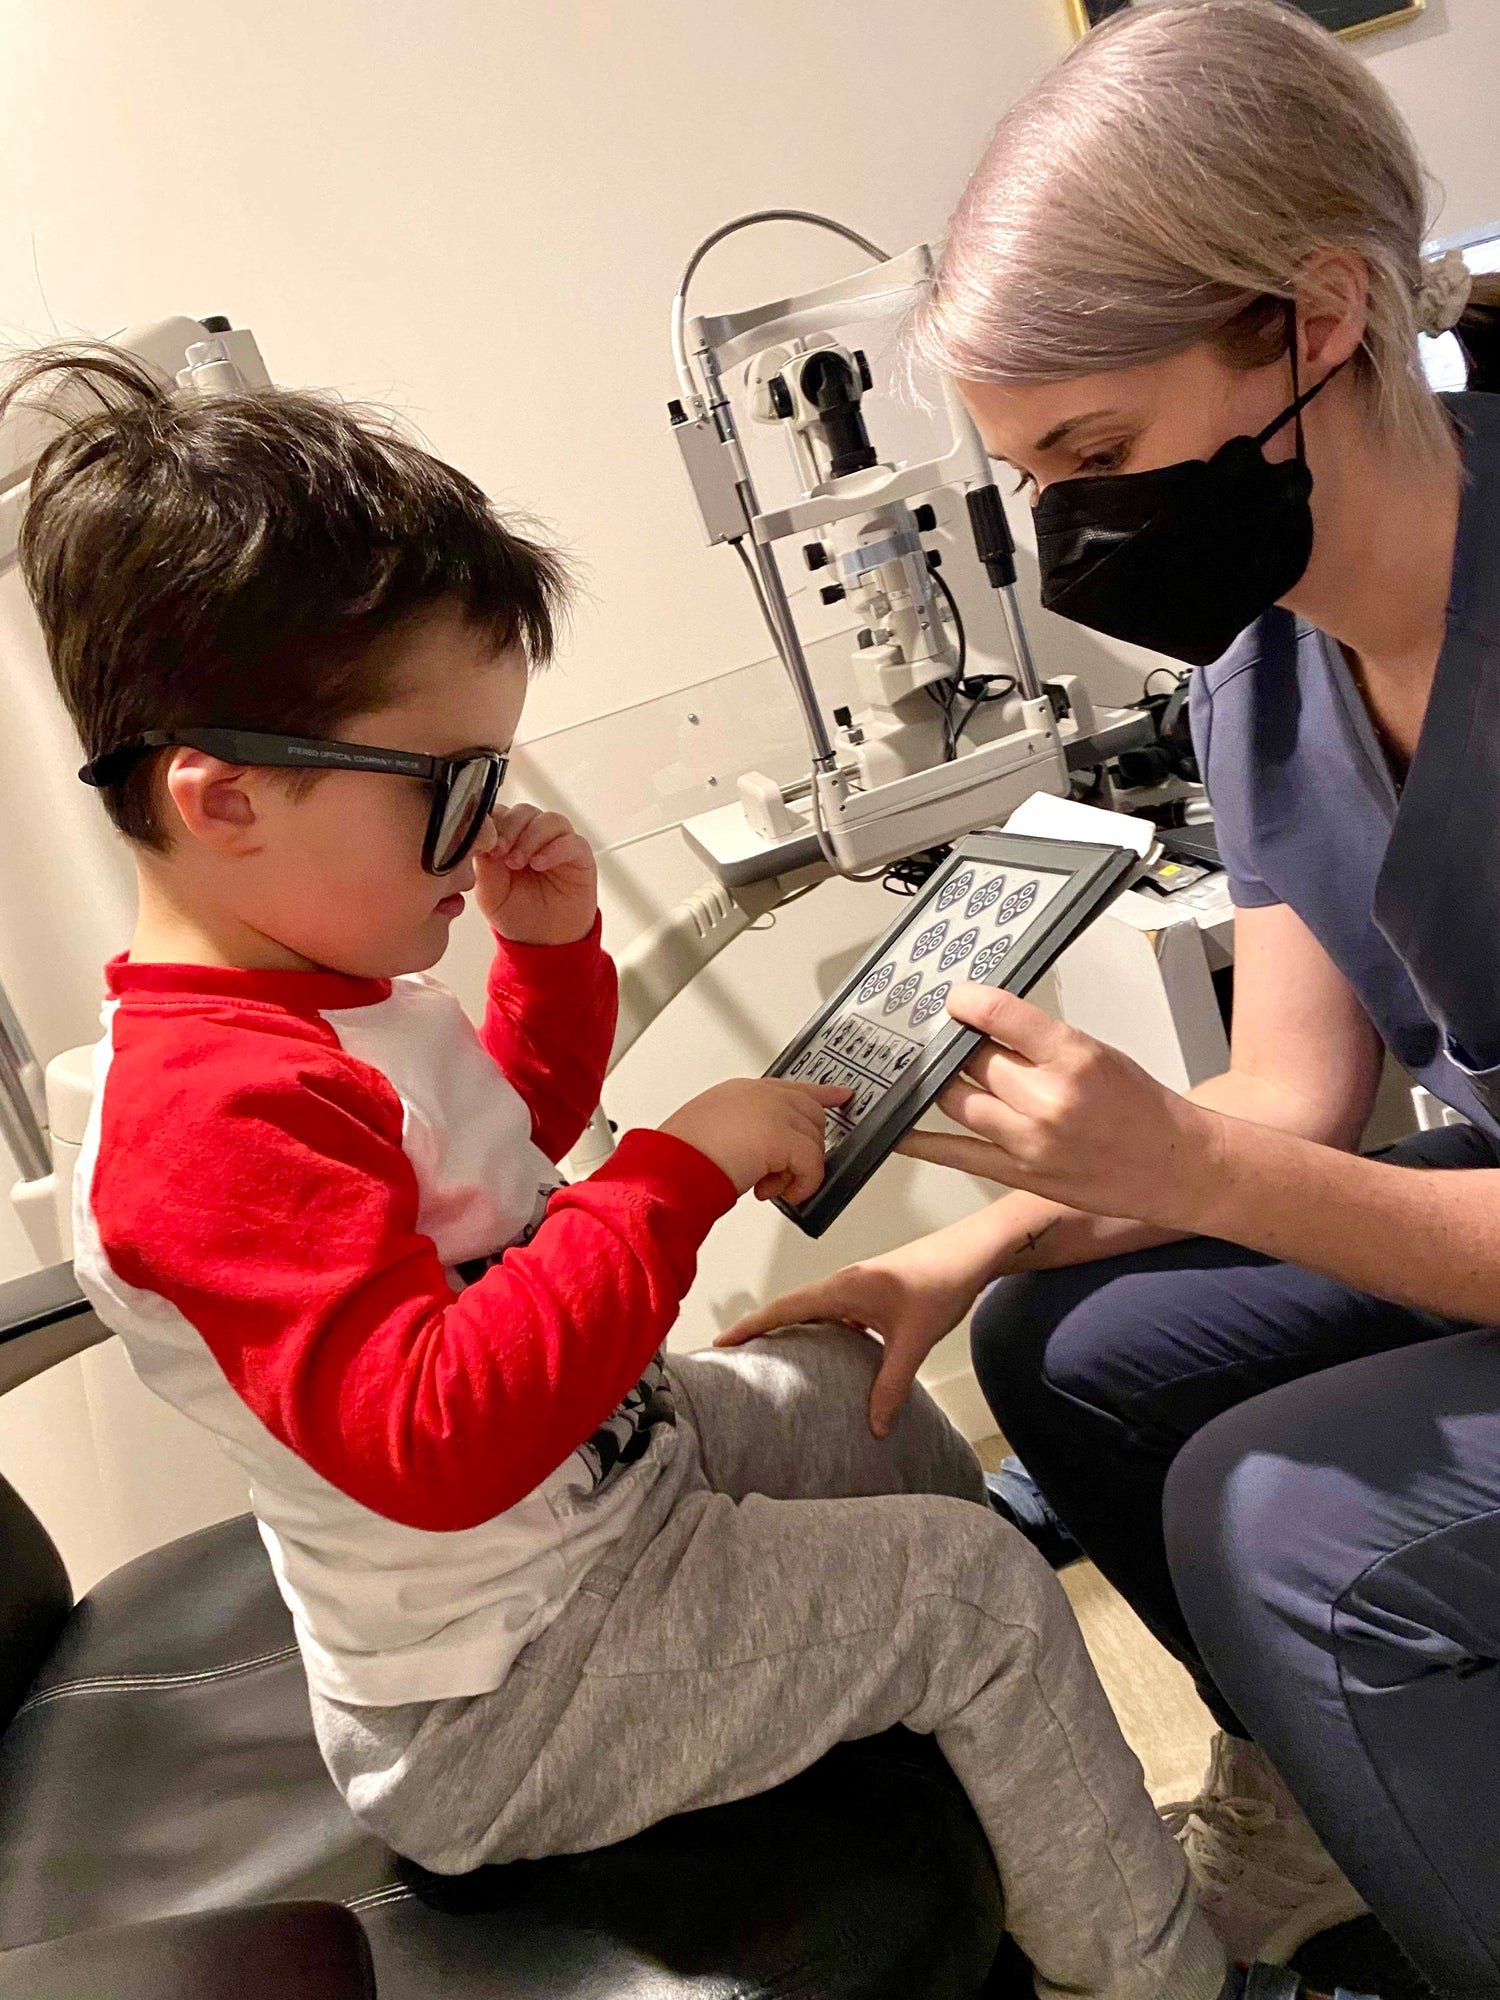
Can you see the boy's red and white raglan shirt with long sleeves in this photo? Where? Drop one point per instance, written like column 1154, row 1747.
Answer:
column 325, row 1221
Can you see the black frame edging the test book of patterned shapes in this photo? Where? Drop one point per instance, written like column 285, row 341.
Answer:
column 1097, row 875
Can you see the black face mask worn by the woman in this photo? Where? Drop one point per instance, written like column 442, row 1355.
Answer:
column 1187, row 557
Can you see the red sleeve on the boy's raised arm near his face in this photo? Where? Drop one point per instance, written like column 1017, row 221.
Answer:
column 549, row 1023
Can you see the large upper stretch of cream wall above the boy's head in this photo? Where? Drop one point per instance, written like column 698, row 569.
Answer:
column 479, row 211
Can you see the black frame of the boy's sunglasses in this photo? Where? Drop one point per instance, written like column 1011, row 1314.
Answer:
column 311, row 753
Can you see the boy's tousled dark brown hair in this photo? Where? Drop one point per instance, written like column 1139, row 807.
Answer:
column 227, row 559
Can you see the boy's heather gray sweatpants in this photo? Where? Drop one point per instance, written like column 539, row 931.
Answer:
column 793, row 1583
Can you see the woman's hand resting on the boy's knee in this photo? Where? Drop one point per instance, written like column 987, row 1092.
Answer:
column 911, row 1297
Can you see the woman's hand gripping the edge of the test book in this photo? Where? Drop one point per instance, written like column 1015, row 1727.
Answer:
column 1069, row 1117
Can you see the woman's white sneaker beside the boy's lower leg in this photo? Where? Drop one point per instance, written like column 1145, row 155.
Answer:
column 1263, row 1877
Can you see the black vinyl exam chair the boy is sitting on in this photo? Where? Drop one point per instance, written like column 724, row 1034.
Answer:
column 169, row 1833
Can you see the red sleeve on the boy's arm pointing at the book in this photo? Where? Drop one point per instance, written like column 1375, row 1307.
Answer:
column 255, row 1179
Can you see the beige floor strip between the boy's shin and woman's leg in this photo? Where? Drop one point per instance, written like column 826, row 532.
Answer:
column 1159, row 1711
